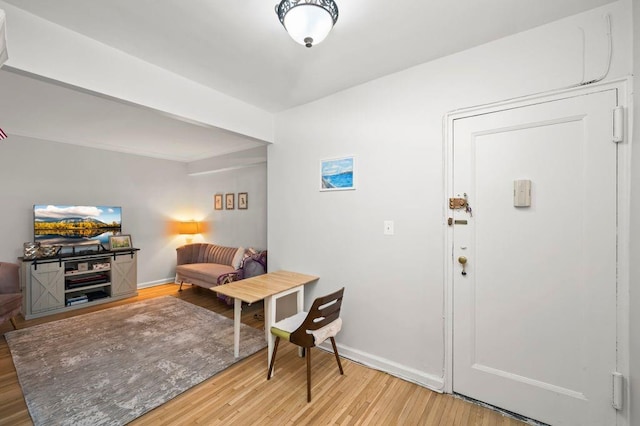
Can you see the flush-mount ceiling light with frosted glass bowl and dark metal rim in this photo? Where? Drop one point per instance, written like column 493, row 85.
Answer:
column 308, row 22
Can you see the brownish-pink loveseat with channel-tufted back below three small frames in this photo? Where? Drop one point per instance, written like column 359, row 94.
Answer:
column 208, row 265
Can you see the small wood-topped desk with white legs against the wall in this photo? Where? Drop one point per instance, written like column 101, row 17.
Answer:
column 268, row 287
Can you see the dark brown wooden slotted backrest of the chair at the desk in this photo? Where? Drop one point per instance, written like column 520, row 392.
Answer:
column 324, row 310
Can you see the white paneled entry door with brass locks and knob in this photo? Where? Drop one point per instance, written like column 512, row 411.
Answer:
column 534, row 318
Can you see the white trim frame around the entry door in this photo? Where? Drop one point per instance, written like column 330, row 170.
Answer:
column 624, row 93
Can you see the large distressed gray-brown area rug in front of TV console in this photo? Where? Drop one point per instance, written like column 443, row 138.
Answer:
column 112, row 366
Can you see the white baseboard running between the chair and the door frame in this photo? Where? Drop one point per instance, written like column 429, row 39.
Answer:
column 421, row 378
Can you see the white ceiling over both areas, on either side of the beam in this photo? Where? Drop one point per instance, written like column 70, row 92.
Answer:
column 239, row 48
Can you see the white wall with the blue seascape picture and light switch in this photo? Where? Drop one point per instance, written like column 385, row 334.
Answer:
column 393, row 308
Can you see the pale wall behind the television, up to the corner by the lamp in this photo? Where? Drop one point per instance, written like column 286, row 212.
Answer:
column 149, row 191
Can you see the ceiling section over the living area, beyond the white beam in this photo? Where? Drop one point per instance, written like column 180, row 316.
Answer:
column 43, row 110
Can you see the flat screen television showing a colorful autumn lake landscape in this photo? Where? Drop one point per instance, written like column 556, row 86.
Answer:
column 75, row 225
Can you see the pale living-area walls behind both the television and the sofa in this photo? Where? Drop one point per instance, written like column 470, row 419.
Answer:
column 154, row 194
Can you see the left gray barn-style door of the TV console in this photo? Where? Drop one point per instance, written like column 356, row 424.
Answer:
column 46, row 287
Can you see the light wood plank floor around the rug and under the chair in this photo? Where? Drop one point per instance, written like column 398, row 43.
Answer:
column 241, row 395
